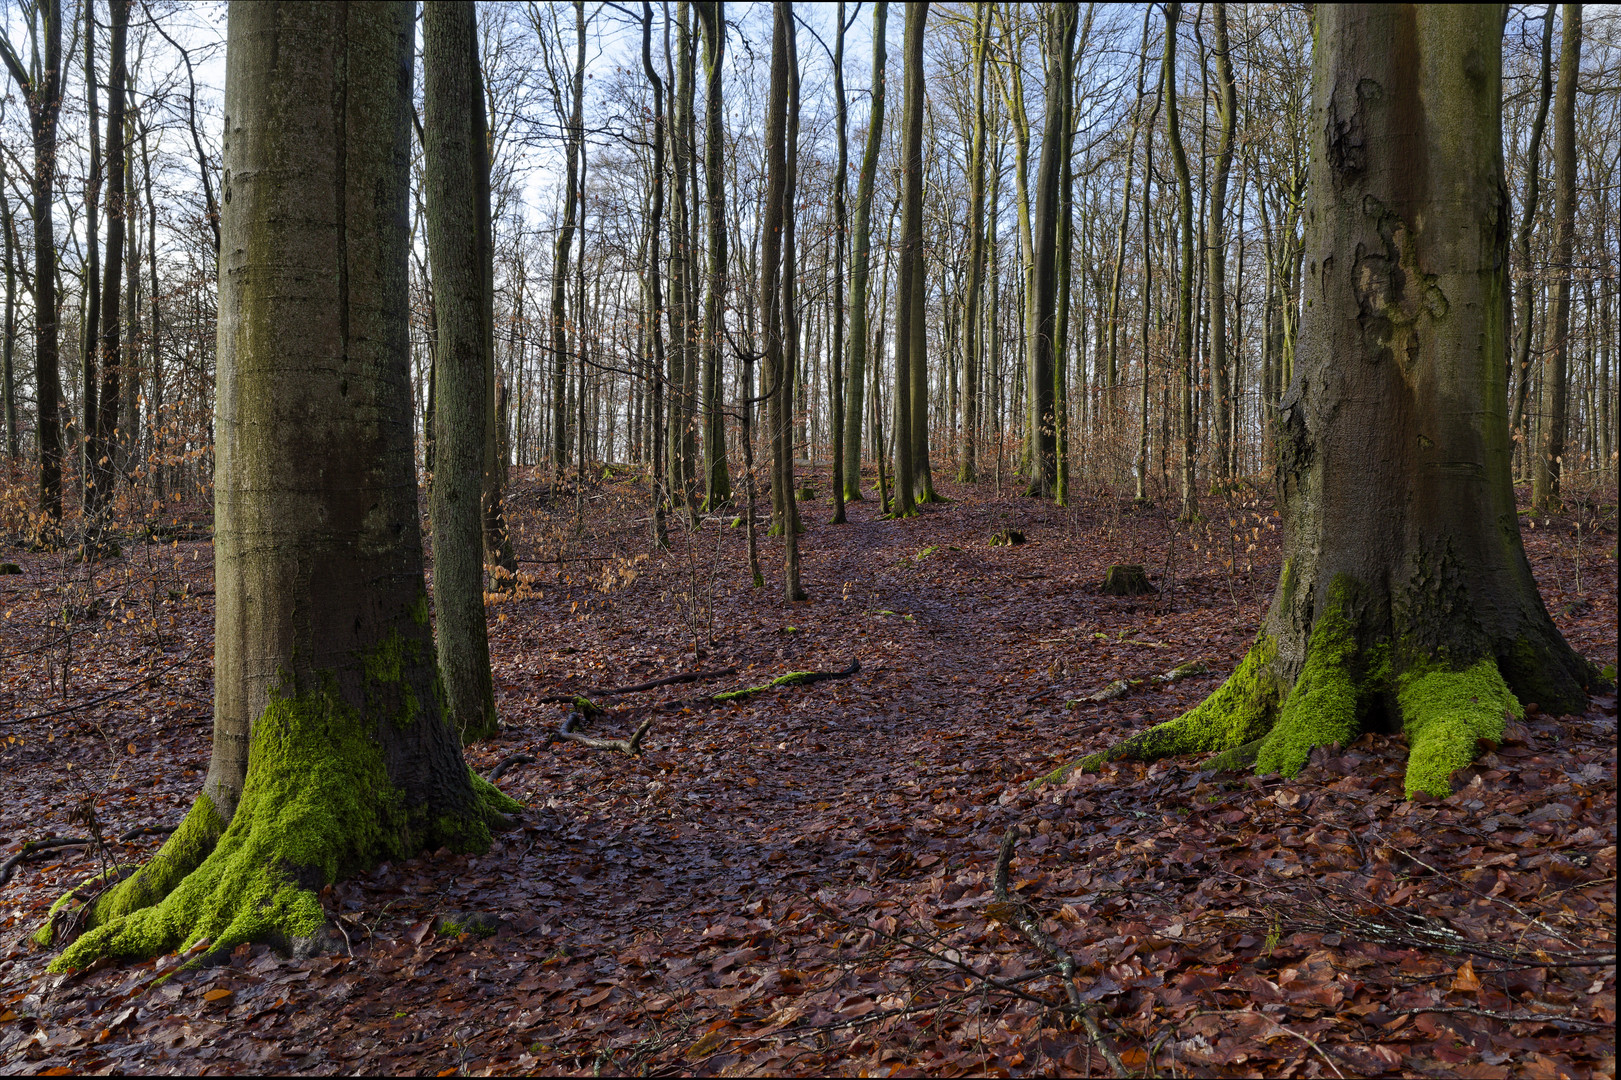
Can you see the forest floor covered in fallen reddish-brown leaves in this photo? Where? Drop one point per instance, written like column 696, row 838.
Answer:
column 803, row 881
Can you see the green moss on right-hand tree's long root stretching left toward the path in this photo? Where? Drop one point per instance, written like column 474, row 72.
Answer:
column 1238, row 713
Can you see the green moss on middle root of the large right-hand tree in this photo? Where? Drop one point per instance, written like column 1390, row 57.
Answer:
column 1324, row 705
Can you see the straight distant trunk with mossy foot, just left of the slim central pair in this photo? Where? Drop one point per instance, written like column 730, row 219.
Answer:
column 712, row 22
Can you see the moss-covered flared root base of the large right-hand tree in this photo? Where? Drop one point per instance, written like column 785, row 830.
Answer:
column 1348, row 684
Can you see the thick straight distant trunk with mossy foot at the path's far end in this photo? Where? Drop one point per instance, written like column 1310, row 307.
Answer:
column 910, row 328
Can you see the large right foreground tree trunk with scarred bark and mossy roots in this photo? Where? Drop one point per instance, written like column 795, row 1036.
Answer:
column 1406, row 598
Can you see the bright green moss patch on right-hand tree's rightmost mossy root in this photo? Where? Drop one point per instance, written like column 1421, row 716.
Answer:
column 1447, row 714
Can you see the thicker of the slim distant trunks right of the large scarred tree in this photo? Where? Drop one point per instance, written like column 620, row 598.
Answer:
column 1555, row 367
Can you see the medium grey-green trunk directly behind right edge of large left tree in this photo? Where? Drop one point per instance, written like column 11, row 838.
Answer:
column 451, row 178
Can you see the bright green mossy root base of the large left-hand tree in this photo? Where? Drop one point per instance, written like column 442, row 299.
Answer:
column 319, row 805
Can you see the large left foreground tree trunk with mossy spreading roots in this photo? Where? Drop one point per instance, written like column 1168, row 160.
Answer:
column 330, row 748
